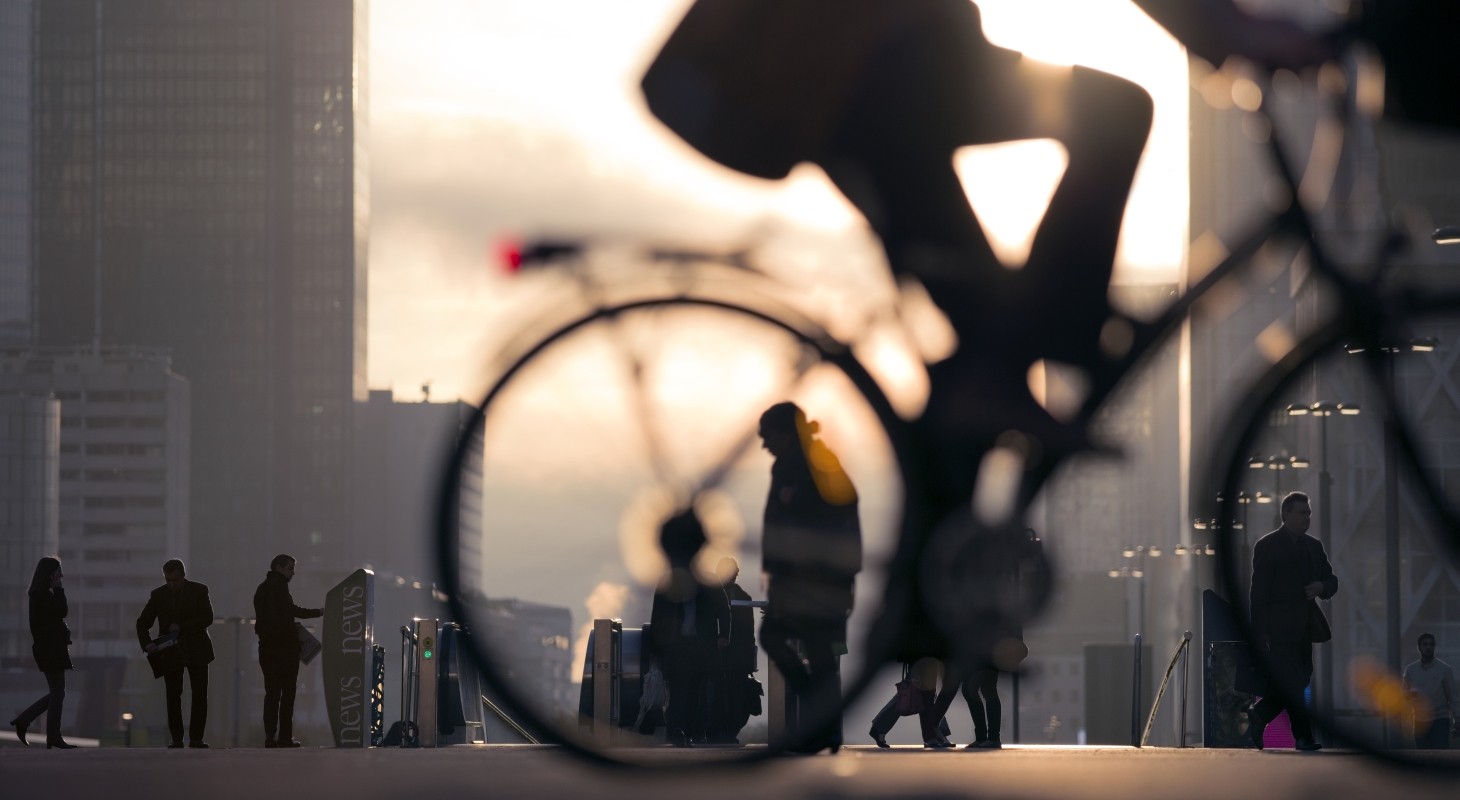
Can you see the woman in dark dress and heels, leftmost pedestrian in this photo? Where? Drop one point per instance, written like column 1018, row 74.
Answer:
column 52, row 639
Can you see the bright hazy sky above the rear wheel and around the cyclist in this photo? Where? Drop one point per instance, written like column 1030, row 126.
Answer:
column 519, row 118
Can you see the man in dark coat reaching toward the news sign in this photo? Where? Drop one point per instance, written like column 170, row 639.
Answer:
column 280, row 649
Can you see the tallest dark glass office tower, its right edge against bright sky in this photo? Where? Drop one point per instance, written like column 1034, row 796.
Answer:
column 201, row 186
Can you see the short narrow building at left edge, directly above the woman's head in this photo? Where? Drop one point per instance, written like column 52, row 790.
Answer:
column 30, row 452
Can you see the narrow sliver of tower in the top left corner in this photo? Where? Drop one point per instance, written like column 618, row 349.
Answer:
column 15, row 172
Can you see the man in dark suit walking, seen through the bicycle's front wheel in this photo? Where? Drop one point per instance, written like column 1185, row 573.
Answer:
column 1290, row 574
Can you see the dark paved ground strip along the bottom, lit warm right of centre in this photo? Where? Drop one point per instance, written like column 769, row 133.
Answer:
column 529, row 773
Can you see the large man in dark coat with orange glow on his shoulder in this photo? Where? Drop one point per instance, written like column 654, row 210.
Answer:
column 811, row 550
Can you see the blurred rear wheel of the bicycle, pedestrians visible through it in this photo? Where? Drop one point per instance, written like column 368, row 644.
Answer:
column 589, row 440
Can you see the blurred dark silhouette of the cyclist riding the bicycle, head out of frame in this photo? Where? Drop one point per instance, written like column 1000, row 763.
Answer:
column 880, row 94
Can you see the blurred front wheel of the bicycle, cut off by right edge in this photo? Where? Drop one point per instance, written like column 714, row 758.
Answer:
column 1363, row 427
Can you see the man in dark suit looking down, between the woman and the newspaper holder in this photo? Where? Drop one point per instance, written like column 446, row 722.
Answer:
column 182, row 607
